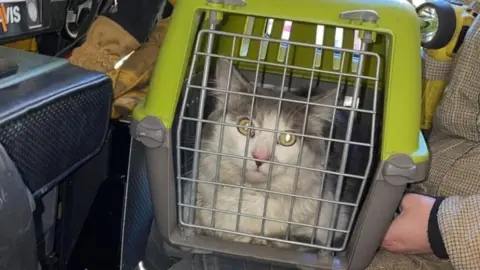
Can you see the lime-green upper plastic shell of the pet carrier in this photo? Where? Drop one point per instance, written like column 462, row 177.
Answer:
column 398, row 43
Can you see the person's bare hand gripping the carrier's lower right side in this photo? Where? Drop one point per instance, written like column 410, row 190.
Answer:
column 408, row 232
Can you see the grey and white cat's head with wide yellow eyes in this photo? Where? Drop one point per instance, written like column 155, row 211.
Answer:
column 265, row 145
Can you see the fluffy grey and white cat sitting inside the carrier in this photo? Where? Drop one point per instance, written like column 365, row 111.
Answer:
column 257, row 172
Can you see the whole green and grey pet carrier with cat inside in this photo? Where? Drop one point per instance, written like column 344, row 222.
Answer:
column 248, row 152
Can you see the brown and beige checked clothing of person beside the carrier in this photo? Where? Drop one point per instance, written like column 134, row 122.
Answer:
column 455, row 166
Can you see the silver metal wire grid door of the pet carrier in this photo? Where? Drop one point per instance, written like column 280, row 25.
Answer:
column 193, row 115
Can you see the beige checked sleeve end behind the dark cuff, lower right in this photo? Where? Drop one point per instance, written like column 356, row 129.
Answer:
column 459, row 224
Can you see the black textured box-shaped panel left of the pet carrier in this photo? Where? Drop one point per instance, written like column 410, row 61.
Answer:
column 53, row 121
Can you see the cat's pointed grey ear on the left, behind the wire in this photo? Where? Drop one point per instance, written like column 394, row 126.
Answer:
column 238, row 83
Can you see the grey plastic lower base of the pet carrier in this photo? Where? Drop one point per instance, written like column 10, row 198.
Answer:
column 384, row 195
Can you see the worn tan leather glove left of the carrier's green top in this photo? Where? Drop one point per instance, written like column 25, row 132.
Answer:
column 107, row 45
